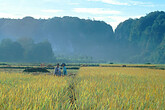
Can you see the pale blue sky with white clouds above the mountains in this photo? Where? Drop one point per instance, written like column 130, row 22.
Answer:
column 111, row 11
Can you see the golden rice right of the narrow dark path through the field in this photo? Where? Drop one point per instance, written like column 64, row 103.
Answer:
column 120, row 88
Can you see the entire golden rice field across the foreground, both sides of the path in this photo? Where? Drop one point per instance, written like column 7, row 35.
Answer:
column 92, row 88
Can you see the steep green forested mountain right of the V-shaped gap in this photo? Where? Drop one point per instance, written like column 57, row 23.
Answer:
column 143, row 39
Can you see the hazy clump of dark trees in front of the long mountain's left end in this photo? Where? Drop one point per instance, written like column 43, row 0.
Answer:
column 25, row 50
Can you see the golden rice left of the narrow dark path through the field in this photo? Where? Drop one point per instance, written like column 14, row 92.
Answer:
column 22, row 91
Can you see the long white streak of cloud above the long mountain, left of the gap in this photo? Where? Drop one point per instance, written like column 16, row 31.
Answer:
column 95, row 11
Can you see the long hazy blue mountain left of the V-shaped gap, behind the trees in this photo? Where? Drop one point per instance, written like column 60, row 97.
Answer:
column 67, row 35
